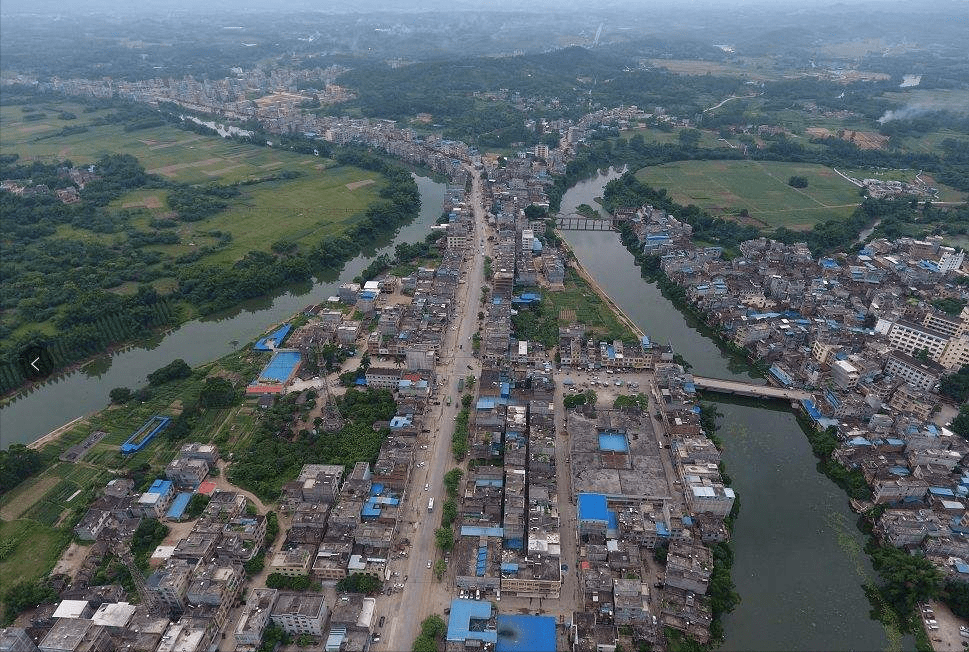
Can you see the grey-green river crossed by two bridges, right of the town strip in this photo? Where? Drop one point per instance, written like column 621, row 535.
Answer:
column 799, row 564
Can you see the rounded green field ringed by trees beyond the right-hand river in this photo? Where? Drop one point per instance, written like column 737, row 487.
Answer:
column 726, row 187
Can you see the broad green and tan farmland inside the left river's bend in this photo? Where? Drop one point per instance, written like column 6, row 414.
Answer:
column 322, row 201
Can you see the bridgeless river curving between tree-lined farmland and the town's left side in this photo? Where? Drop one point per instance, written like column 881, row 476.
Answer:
column 41, row 410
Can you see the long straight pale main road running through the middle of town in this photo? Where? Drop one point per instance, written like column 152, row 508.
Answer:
column 422, row 594
